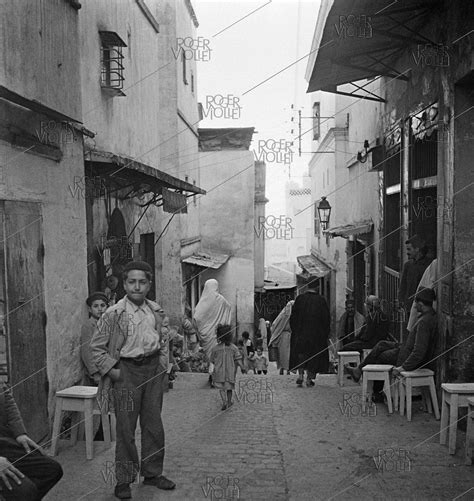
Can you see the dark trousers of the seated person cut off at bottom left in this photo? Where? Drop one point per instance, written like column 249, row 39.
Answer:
column 41, row 472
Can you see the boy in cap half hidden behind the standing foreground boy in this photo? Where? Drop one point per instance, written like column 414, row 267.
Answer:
column 97, row 304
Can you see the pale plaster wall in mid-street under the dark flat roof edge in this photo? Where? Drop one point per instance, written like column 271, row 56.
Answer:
column 227, row 220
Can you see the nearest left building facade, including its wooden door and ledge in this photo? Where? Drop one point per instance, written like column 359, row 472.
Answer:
column 43, row 254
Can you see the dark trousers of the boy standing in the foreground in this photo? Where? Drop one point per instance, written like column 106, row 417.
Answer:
column 139, row 392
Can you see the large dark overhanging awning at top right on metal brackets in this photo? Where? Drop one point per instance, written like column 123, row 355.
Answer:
column 368, row 44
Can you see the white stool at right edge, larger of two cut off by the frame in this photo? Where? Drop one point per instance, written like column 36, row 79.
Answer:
column 454, row 395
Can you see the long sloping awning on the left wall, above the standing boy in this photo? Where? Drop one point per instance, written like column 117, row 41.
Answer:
column 119, row 173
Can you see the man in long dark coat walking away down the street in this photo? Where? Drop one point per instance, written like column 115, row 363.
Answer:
column 309, row 322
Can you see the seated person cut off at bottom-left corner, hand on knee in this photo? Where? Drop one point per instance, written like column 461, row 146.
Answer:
column 25, row 472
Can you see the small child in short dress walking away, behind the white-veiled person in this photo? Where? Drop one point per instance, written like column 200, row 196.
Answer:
column 225, row 357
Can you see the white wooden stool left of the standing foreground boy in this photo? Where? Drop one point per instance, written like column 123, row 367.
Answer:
column 80, row 399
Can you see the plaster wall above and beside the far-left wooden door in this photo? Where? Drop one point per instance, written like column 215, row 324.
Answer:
column 40, row 61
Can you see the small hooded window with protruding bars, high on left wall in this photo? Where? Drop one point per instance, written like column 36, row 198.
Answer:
column 111, row 59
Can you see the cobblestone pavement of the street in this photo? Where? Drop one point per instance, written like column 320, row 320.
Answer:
column 279, row 442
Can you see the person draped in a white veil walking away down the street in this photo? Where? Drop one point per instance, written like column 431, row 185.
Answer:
column 211, row 310
